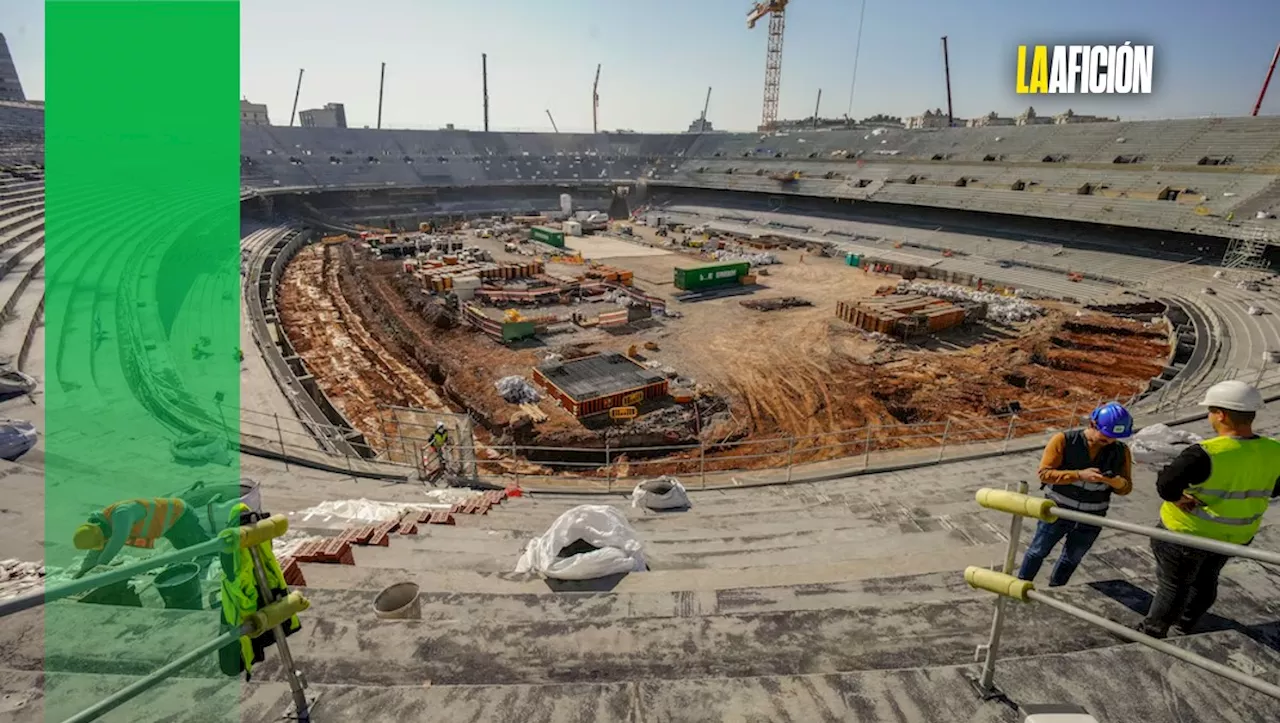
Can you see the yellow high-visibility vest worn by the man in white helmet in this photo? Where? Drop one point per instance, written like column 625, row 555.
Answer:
column 1237, row 493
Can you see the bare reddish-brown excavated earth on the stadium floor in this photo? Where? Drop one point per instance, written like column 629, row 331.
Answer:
column 373, row 337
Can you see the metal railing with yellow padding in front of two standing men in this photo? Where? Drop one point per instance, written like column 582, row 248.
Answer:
column 1007, row 587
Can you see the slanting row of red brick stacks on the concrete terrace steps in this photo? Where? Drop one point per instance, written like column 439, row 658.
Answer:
column 337, row 551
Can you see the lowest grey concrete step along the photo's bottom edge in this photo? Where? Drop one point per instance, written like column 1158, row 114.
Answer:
column 1153, row 689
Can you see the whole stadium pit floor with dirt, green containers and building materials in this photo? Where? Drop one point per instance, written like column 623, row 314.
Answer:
column 711, row 338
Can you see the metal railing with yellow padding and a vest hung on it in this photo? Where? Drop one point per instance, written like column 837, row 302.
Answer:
column 269, row 619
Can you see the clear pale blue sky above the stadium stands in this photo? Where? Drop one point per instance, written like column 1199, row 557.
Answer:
column 660, row 57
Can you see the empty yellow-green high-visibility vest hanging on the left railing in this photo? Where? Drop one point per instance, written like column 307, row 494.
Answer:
column 240, row 598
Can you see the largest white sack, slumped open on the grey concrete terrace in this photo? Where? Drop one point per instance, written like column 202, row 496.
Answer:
column 605, row 528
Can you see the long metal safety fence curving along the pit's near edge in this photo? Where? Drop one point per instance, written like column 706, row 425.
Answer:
column 403, row 441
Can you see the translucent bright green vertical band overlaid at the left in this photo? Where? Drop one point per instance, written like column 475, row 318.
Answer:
column 143, row 317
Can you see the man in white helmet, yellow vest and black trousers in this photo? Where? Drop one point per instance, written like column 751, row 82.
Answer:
column 1218, row 489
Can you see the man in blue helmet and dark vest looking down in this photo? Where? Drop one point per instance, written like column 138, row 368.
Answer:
column 1081, row 470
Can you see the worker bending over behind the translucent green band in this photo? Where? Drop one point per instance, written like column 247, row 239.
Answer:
column 138, row 524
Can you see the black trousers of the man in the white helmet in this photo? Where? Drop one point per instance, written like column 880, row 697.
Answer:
column 1186, row 587
